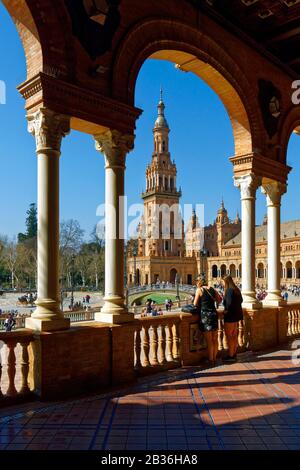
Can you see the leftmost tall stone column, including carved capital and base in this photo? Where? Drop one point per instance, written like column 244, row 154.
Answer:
column 48, row 129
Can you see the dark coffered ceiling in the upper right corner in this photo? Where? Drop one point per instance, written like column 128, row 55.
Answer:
column 273, row 24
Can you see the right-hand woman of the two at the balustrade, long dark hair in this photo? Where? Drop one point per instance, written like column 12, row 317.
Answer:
column 233, row 313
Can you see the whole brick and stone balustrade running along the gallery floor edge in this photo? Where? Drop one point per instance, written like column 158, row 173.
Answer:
column 92, row 355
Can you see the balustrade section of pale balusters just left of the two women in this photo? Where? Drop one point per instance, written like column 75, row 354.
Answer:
column 157, row 343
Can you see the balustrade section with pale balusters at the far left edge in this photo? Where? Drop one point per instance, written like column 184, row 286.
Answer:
column 14, row 364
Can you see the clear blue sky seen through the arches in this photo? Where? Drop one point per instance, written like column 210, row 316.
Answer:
column 201, row 142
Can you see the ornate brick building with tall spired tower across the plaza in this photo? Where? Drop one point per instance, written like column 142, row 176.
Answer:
column 167, row 252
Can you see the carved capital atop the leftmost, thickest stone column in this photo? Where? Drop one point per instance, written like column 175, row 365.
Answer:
column 48, row 128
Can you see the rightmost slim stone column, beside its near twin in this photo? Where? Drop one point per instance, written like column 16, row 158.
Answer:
column 273, row 191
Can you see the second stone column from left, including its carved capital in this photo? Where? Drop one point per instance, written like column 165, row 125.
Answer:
column 115, row 147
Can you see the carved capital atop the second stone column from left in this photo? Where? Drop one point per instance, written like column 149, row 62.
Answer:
column 115, row 146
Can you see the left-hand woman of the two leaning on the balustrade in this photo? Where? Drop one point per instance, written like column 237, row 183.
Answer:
column 206, row 299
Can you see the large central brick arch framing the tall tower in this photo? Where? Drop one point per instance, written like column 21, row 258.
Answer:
column 157, row 38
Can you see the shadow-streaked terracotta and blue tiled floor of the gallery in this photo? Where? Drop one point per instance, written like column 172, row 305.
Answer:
column 253, row 404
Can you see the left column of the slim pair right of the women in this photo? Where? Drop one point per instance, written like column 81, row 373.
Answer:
column 248, row 185
